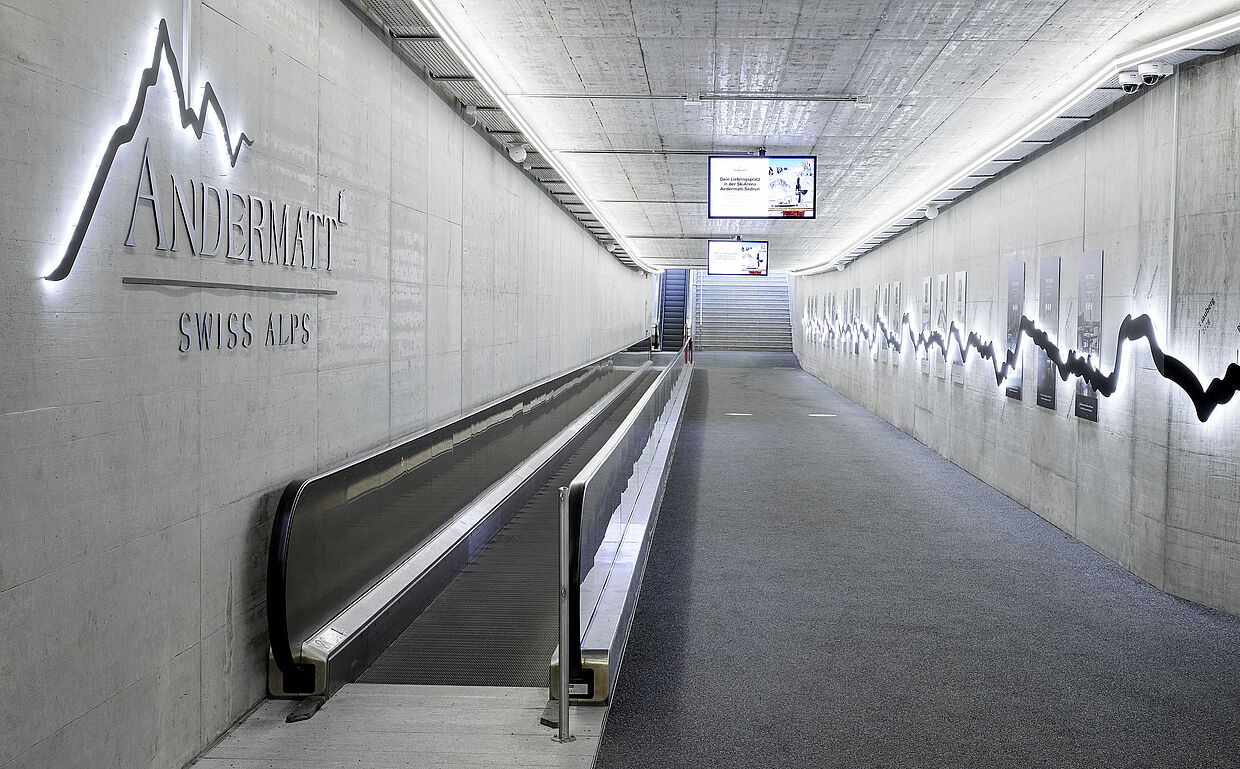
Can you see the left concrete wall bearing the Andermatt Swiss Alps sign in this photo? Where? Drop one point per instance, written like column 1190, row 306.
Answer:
column 138, row 482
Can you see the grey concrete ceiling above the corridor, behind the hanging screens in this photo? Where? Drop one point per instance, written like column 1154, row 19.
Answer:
column 603, row 86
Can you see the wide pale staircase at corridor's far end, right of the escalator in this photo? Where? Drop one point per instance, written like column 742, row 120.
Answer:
column 742, row 313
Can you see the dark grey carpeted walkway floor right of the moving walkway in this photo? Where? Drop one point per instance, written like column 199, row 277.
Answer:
column 828, row 592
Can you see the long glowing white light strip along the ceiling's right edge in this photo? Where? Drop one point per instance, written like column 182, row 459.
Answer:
column 1189, row 39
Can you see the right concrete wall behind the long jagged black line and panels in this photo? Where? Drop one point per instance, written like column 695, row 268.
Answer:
column 1149, row 486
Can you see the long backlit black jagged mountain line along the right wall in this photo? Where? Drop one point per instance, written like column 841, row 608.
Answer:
column 1206, row 400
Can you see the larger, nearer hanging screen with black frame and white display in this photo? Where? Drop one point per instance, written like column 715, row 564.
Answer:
column 762, row 188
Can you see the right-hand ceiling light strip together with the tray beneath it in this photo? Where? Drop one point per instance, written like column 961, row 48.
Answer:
column 1096, row 95
